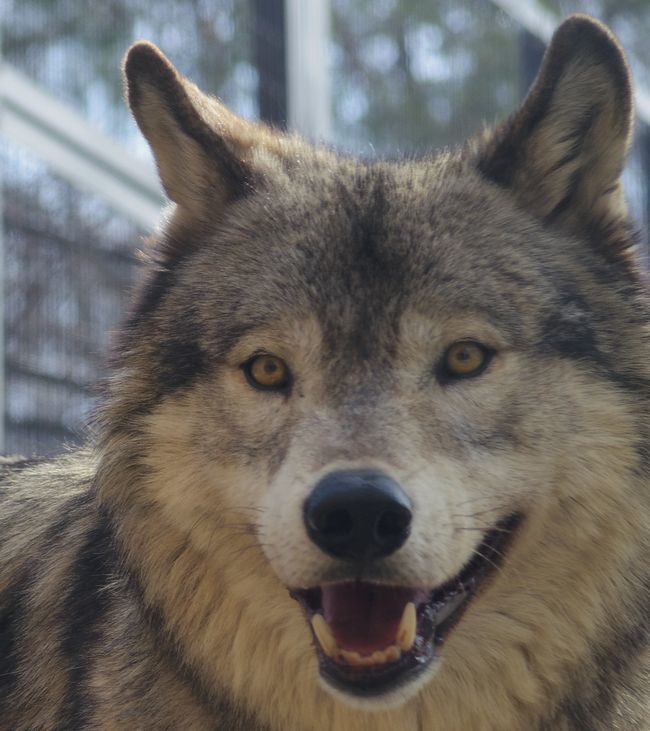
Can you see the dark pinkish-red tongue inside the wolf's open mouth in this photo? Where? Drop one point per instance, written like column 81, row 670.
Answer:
column 365, row 617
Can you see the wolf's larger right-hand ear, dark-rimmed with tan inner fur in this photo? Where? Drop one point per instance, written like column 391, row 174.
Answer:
column 562, row 153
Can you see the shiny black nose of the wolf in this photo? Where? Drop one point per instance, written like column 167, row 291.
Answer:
column 358, row 515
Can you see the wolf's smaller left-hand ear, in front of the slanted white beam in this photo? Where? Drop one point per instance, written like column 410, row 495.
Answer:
column 200, row 147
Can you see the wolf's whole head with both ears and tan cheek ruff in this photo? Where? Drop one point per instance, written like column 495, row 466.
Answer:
column 396, row 407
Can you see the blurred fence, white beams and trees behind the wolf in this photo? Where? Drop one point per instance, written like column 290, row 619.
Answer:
column 78, row 187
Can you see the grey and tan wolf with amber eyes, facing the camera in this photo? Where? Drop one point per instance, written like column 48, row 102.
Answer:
column 374, row 450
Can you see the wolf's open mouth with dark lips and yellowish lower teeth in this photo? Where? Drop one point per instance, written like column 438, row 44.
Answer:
column 372, row 638
